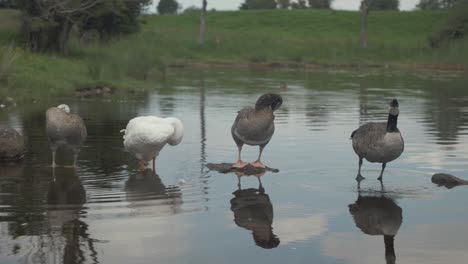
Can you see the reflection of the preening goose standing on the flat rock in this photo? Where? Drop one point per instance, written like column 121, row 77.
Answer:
column 253, row 211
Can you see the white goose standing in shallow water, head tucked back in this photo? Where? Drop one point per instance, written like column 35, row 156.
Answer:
column 145, row 136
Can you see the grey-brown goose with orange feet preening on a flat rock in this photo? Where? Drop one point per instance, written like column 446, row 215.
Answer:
column 255, row 126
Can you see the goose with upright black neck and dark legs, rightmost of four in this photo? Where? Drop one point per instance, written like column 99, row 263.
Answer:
column 379, row 142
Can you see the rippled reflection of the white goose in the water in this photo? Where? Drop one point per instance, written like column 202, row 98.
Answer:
column 147, row 194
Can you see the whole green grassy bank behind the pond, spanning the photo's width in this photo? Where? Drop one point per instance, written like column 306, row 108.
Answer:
column 278, row 37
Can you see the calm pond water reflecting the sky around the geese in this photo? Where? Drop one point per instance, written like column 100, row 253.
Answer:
column 105, row 211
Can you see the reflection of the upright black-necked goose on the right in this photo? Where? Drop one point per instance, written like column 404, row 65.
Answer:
column 378, row 215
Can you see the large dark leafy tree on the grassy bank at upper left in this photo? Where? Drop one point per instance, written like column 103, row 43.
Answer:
column 46, row 24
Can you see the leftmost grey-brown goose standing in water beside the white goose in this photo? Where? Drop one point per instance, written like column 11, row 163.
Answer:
column 64, row 129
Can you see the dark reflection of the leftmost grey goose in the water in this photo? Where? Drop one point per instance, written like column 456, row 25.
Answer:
column 66, row 197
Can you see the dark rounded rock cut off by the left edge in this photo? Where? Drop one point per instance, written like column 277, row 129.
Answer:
column 11, row 144
